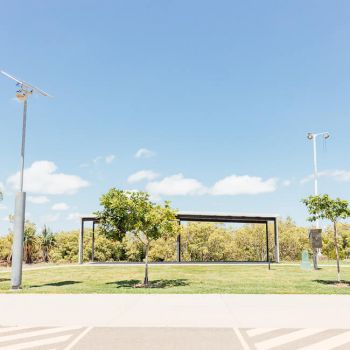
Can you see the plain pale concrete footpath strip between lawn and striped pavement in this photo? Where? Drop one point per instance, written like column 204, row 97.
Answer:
column 176, row 310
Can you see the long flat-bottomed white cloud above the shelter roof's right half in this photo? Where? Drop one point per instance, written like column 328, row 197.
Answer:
column 237, row 185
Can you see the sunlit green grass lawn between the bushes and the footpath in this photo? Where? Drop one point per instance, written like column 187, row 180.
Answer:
column 182, row 279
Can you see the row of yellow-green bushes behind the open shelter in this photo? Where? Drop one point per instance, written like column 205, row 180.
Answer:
column 199, row 242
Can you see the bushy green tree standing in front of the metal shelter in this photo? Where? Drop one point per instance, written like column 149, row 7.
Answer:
column 133, row 212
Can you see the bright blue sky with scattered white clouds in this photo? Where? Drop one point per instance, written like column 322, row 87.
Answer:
column 218, row 95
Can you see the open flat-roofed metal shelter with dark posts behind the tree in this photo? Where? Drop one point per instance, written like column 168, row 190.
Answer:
column 199, row 217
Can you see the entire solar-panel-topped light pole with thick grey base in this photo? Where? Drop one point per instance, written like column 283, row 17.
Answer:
column 24, row 90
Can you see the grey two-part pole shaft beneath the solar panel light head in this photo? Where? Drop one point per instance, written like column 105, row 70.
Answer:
column 20, row 204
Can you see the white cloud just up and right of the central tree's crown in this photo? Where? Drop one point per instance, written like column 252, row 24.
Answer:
column 176, row 185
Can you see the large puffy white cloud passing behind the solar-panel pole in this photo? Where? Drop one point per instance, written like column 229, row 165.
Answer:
column 41, row 177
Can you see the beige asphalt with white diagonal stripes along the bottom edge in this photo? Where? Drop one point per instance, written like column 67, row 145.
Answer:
column 112, row 338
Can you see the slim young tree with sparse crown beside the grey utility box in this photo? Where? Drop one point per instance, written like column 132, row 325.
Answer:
column 324, row 207
